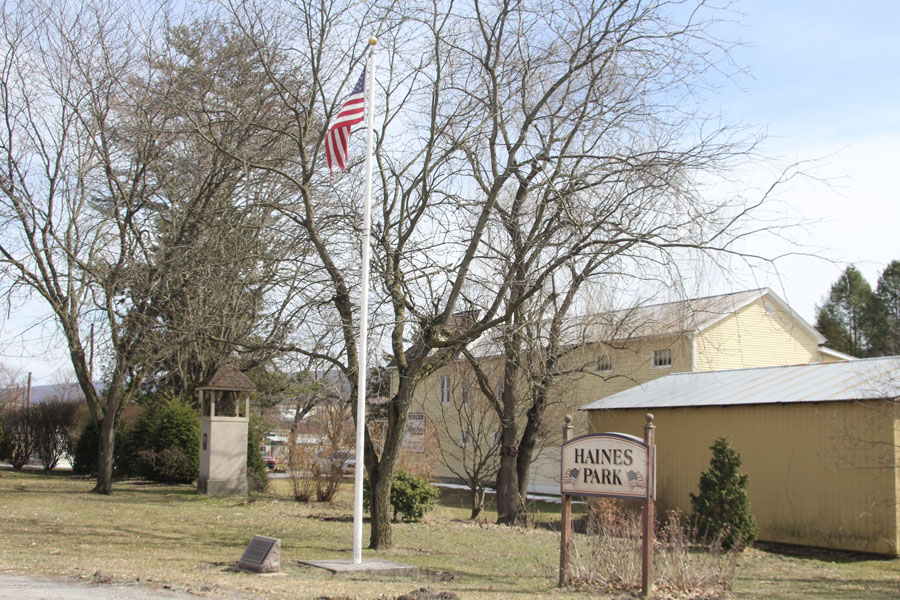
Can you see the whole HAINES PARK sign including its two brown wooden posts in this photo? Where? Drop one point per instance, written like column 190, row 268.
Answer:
column 615, row 465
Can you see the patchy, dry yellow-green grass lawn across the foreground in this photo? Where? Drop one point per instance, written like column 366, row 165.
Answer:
column 169, row 535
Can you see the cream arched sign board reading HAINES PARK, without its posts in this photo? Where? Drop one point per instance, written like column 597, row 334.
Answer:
column 606, row 464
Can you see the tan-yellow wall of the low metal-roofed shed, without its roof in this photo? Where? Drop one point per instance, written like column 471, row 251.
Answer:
column 821, row 474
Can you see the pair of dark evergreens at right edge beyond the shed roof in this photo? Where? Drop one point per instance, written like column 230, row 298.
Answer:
column 858, row 320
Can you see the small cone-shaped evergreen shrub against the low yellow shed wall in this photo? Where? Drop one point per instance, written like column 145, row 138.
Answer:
column 722, row 508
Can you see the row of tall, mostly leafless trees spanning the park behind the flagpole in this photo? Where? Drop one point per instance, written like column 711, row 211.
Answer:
column 162, row 183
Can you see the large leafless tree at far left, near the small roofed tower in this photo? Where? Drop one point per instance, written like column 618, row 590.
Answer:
column 111, row 214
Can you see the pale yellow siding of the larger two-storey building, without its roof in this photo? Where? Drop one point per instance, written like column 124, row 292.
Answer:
column 749, row 337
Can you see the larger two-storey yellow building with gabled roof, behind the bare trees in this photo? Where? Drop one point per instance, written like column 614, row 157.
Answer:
column 614, row 351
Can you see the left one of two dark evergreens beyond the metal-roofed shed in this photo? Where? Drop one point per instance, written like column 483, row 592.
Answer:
column 843, row 318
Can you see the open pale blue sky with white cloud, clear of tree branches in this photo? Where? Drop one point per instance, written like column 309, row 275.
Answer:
column 823, row 82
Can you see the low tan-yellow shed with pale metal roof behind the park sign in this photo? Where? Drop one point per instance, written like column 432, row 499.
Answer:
column 819, row 442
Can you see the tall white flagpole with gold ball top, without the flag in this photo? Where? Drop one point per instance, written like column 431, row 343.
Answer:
column 364, row 316
